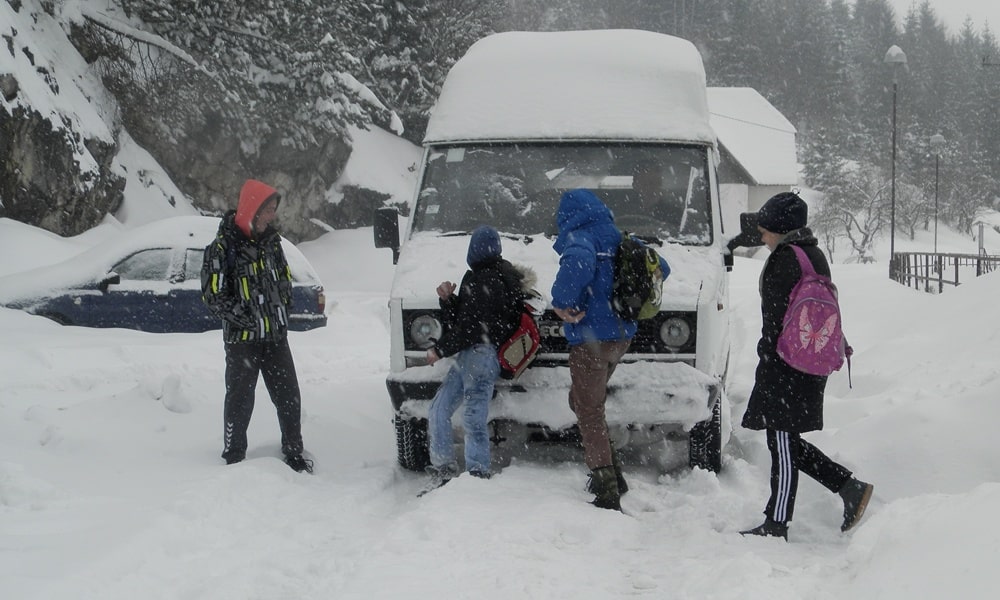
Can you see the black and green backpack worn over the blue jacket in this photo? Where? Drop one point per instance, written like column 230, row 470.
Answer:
column 638, row 284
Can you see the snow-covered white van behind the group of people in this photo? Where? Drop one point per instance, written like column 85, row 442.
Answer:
column 521, row 118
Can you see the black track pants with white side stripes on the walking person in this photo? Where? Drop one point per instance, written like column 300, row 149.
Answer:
column 789, row 455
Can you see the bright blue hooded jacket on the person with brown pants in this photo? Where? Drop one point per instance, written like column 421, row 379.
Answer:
column 587, row 243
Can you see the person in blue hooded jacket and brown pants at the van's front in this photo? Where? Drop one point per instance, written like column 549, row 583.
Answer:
column 598, row 338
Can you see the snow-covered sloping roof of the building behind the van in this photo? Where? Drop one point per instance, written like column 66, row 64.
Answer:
column 755, row 133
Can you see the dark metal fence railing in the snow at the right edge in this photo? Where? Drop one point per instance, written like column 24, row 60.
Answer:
column 934, row 271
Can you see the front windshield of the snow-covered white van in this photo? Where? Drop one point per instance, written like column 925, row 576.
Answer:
column 659, row 191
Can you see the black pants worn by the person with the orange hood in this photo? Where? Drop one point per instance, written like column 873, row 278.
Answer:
column 244, row 361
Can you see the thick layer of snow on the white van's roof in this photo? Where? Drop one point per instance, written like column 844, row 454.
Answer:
column 605, row 84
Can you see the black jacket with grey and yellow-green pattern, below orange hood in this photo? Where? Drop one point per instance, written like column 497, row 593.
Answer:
column 247, row 283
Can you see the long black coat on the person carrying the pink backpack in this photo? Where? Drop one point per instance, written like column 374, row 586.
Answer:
column 784, row 398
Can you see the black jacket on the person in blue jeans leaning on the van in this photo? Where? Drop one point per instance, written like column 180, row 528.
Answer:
column 486, row 310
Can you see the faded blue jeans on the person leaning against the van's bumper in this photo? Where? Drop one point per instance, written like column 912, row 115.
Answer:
column 471, row 380
